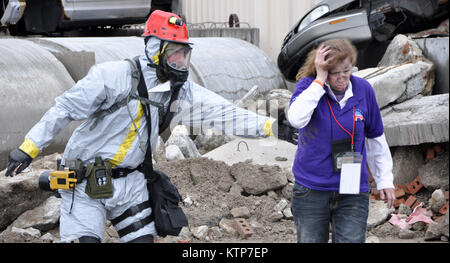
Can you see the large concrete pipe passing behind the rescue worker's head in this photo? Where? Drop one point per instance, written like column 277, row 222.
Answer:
column 228, row 66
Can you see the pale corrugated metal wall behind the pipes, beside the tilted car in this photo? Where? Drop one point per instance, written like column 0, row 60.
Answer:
column 273, row 18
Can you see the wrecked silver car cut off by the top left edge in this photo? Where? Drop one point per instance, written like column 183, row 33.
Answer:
column 24, row 17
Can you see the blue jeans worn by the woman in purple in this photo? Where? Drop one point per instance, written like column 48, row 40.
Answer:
column 315, row 210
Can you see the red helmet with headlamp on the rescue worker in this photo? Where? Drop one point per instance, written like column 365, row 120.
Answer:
column 166, row 26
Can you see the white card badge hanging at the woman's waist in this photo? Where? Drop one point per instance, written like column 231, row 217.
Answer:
column 350, row 163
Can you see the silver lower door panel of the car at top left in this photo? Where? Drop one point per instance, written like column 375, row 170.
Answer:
column 108, row 9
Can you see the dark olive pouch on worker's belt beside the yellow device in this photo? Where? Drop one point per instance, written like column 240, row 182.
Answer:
column 99, row 182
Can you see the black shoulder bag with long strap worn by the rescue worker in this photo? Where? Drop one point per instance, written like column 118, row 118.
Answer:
column 164, row 196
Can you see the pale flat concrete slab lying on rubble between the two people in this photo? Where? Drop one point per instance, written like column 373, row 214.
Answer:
column 270, row 151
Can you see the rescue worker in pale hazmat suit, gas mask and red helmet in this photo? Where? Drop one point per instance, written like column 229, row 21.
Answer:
column 113, row 136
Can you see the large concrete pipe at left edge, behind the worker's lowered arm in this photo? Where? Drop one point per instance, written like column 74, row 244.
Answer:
column 30, row 79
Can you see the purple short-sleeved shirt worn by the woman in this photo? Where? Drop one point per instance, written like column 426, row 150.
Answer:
column 313, row 165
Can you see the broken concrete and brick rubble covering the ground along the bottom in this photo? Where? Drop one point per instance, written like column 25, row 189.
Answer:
column 216, row 195
